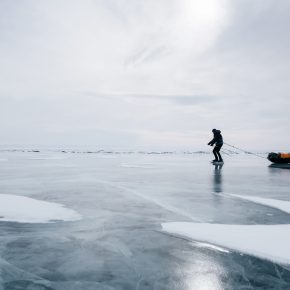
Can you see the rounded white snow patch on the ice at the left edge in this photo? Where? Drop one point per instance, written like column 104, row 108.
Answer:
column 28, row 210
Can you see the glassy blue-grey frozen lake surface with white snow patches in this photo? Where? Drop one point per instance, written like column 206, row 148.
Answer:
column 135, row 210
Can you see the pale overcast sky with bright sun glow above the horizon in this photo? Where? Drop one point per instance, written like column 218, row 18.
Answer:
column 156, row 74
